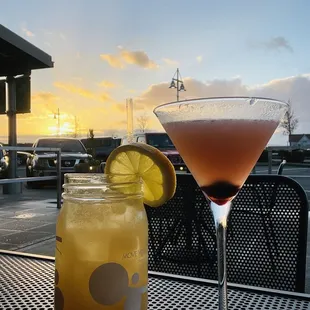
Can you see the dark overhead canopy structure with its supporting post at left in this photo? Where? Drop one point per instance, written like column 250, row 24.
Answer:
column 18, row 57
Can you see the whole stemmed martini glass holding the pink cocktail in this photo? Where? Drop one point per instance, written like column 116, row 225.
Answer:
column 220, row 140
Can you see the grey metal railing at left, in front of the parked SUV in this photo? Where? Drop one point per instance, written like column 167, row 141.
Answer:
column 38, row 179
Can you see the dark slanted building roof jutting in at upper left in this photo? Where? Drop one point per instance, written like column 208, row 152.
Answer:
column 18, row 56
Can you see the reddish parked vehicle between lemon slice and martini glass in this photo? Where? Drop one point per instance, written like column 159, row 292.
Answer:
column 161, row 141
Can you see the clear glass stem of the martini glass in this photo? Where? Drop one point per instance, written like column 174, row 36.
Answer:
column 220, row 214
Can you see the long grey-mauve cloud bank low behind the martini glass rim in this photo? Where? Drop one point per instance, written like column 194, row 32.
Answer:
column 296, row 88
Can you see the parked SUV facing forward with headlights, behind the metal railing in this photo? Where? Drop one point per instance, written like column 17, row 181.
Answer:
column 42, row 163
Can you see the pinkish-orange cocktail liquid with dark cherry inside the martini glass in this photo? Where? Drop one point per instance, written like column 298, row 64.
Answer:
column 220, row 153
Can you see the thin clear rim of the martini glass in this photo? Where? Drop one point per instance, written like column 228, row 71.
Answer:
column 206, row 99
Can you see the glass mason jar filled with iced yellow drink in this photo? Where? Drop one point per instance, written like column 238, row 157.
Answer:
column 101, row 244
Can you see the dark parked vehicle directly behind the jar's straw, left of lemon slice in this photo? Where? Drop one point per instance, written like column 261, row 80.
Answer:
column 101, row 147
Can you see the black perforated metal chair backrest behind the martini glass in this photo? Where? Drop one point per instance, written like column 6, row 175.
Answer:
column 266, row 238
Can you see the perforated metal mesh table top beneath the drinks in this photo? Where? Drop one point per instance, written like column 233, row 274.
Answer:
column 28, row 284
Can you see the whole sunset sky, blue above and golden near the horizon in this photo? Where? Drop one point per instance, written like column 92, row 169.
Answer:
column 107, row 51
